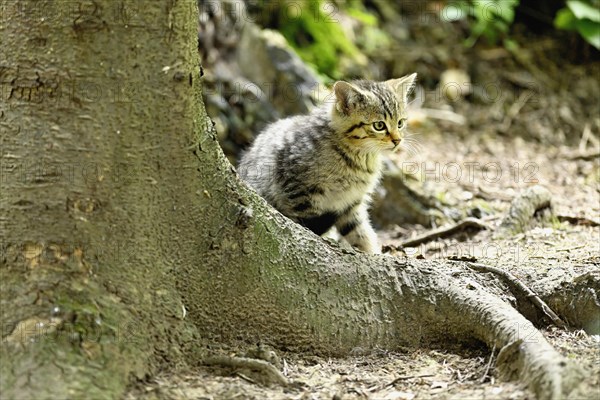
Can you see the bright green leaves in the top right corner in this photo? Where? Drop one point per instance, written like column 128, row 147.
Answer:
column 582, row 16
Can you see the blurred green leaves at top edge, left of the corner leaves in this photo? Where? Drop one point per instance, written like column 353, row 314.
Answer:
column 489, row 18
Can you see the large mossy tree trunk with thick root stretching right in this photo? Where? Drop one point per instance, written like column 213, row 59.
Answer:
column 120, row 213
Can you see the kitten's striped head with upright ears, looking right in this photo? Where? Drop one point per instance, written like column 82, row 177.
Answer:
column 372, row 115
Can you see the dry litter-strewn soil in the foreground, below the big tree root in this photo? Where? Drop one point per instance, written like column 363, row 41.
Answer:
column 412, row 374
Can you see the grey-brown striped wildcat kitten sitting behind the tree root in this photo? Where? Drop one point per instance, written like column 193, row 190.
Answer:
column 320, row 169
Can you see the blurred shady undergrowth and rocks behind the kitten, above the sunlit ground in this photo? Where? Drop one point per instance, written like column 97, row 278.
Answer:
column 270, row 58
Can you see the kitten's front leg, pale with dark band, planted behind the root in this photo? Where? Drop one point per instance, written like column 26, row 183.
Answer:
column 355, row 227
